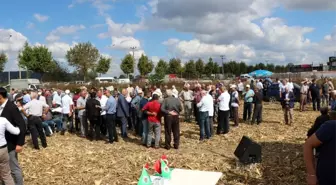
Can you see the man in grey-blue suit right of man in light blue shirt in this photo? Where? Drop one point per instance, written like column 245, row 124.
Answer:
column 123, row 112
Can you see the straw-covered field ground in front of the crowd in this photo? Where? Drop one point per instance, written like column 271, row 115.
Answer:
column 73, row 160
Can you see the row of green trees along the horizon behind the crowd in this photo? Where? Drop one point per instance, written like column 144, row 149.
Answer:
column 89, row 63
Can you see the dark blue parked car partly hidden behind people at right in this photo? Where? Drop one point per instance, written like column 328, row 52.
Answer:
column 272, row 94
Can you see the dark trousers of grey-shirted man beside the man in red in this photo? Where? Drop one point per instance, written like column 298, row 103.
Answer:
column 172, row 124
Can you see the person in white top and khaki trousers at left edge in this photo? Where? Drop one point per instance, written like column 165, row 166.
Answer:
column 5, row 171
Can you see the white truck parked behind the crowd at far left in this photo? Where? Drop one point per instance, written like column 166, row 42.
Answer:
column 21, row 84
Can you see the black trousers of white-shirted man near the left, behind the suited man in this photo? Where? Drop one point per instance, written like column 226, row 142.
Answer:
column 36, row 129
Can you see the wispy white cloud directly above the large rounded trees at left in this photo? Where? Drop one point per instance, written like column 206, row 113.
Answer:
column 63, row 30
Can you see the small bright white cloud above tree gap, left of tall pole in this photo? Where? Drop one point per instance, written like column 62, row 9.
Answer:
column 125, row 43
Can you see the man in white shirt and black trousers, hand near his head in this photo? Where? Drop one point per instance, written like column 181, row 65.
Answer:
column 224, row 111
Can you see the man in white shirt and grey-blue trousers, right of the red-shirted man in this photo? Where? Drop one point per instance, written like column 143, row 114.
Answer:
column 204, row 107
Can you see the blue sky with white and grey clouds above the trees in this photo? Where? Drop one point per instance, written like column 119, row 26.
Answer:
column 277, row 31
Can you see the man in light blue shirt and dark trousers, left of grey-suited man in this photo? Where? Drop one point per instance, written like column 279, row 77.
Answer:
column 111, row 109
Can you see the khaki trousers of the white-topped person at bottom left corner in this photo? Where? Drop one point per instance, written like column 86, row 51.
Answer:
column 5, row 171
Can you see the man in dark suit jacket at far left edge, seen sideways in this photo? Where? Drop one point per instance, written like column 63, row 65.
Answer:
column 14, row 143
